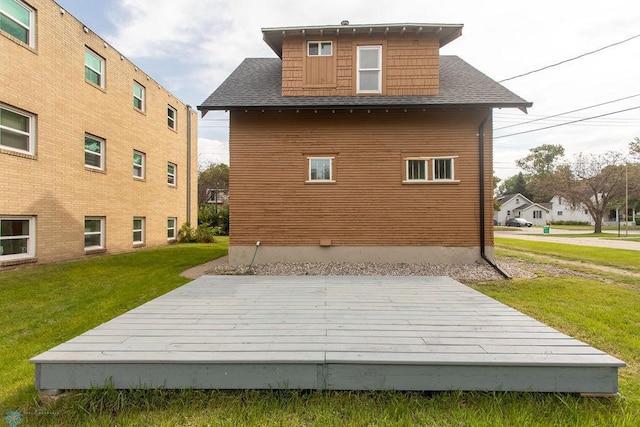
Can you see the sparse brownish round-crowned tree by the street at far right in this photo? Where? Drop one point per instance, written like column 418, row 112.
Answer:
column 592, row 181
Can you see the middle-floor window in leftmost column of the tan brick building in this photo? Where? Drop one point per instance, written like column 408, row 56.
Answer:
column 17, row 130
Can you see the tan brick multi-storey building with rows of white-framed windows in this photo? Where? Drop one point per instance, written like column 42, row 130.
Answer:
column 96, row 156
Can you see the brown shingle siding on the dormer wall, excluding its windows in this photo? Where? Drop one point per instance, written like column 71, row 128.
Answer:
column 410, row 66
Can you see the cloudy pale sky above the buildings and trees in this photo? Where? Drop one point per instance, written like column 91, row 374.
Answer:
column 191, row 46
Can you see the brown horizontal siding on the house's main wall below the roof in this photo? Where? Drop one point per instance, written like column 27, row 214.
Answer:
column 368, row 204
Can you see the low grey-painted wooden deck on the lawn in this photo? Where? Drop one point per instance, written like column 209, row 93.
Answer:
column 327, row 332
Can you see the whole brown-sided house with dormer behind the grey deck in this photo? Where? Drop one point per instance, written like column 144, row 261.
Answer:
column 360, row 143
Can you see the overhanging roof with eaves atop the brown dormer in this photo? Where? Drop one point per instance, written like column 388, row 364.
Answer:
column 275, row 36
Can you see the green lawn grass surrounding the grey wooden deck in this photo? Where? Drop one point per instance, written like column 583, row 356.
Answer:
column 44, row 306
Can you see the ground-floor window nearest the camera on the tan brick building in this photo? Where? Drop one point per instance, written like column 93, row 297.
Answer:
column 17, row 237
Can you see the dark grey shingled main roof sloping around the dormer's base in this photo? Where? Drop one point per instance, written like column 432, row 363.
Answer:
column 257, row 84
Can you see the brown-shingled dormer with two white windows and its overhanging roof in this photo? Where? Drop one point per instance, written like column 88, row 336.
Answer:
column 361, row 60
